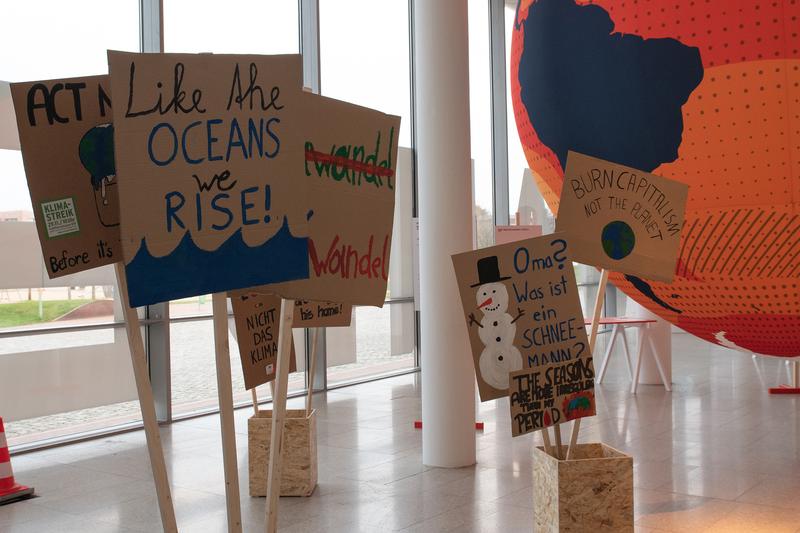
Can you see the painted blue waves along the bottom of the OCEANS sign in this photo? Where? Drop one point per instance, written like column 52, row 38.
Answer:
column 190, row 271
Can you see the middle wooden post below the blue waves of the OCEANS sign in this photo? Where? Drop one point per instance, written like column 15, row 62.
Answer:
column 219, row 303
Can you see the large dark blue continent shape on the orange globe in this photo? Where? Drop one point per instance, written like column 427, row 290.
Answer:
column 609, row 95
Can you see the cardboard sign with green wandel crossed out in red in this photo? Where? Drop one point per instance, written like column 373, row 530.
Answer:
column 350, row 159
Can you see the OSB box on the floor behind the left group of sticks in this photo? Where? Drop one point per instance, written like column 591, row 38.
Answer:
column 299, row 471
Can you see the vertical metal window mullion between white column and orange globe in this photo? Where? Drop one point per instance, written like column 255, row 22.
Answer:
column 497, row 42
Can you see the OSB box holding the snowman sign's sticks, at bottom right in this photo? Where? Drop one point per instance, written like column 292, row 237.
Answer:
column 591, row 492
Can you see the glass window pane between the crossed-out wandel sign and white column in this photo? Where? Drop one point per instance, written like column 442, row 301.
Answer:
column 375, row 75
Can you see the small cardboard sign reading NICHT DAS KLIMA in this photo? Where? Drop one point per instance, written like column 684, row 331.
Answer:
column 256, row 319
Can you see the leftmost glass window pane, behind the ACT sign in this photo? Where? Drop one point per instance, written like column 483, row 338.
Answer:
column 82, row 379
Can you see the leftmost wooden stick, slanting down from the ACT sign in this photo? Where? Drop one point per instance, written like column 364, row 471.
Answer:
column 146, row 403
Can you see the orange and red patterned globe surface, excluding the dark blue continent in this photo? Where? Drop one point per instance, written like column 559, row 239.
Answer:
column 738, row 276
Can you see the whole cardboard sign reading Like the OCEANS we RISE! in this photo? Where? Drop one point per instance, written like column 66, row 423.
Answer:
column 207, row 150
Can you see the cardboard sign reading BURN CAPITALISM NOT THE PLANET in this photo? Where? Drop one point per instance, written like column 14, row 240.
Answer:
column 620, row 218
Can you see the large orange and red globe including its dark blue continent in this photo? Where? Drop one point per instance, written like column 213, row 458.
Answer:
column 706, row 92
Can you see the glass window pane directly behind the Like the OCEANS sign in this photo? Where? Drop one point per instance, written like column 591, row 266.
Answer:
column 233, row 27
